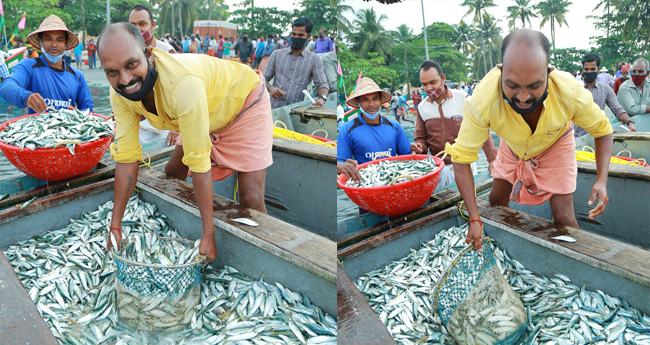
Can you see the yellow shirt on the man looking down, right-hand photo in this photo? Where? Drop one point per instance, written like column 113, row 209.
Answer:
column 567, row 101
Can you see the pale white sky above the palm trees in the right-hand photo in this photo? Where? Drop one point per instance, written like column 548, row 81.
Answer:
column 409, row 12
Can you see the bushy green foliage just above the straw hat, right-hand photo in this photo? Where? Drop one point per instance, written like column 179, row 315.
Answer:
column 372, row 67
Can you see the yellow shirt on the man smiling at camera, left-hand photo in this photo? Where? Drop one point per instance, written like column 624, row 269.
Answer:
column 195, row 95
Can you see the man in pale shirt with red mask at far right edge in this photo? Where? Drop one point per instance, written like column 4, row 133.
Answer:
column 634, row 94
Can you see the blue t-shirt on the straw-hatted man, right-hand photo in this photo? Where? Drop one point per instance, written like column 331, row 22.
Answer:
column 366, row 142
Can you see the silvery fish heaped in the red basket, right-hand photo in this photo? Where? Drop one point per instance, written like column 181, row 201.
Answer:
column 384, row 172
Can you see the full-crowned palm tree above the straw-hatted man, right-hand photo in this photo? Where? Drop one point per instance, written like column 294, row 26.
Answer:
column 369, row 36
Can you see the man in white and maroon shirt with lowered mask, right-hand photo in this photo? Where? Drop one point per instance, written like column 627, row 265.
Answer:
column 439, row 118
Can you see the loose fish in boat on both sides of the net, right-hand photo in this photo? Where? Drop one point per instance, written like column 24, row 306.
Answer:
column 558, row 312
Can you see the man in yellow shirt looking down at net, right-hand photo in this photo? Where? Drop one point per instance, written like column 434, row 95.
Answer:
column 532, row 108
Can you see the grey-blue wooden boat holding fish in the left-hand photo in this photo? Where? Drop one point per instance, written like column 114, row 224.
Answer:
column 278, row 251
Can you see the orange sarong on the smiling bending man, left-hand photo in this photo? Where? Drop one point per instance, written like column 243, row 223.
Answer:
column 246, row 144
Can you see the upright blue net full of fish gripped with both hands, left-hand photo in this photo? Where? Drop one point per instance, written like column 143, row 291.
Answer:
column 158, row 280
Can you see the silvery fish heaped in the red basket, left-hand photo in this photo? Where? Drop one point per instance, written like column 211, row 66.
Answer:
column 62, row 127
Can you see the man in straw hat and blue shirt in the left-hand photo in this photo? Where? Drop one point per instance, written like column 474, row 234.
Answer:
column 47, row 81
